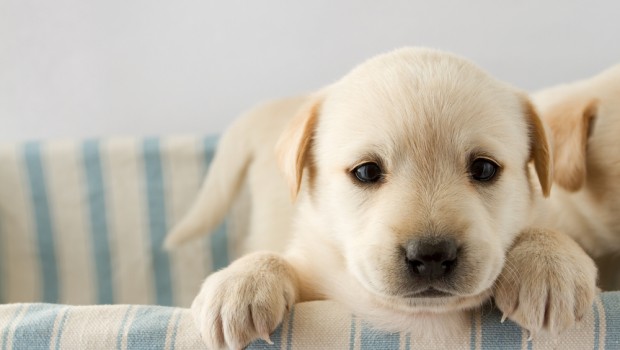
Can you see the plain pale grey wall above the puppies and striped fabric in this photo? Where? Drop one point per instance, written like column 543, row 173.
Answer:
column 74, row 68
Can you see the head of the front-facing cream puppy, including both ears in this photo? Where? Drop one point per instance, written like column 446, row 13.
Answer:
column 416, row 167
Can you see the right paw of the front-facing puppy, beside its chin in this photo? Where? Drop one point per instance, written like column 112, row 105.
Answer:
column 548, row 282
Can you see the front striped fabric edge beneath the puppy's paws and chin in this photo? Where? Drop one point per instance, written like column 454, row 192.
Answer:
column 314, row 325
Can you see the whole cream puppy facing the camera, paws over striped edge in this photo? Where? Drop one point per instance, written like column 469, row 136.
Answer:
column 414, row 204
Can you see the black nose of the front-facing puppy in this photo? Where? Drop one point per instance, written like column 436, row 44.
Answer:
column 431, row 258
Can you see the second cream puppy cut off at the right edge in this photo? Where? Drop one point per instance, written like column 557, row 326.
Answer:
column 584, row 120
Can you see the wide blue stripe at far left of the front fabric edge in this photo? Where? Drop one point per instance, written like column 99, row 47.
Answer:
column 35, row 330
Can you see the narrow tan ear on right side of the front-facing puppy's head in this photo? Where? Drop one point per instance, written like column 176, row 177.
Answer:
column 540, row 152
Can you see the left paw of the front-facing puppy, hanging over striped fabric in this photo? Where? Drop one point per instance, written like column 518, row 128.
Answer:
column 245, row 301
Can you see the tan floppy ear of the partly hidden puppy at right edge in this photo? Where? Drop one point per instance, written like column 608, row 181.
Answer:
column 570, row 125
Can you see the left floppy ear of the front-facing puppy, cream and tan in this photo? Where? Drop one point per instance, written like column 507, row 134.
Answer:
column 293, row 147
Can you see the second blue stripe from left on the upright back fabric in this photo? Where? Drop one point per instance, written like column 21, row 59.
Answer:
column 98, row 220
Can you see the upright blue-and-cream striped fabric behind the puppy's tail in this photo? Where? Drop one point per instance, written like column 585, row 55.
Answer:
column 83, row 222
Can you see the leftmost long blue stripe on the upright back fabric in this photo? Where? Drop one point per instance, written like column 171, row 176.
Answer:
column 45, row 234
